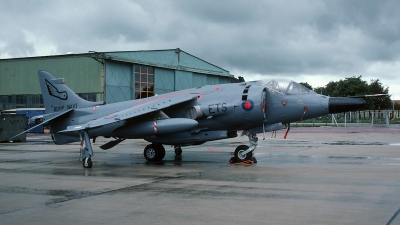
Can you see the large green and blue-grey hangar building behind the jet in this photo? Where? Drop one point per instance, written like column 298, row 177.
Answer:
column 107, row 76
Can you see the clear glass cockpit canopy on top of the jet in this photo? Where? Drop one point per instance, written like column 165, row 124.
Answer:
column 285, row 86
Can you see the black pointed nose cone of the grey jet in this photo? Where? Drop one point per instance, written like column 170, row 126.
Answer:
column 343, row 104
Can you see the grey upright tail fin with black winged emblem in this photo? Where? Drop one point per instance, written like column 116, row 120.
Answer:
column 58, row 97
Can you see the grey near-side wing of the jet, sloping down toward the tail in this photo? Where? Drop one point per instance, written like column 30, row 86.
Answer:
column 134, row 111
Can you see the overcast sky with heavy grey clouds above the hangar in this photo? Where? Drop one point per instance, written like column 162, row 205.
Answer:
column 307, row 41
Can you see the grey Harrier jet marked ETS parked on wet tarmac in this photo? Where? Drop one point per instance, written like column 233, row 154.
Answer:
column 188, row 117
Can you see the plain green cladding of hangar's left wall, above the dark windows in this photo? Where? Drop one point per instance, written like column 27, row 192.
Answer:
column 23, row 74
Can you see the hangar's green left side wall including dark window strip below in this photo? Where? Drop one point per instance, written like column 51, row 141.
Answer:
column 83, row 75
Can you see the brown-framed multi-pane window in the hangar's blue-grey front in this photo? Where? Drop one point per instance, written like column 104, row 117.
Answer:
column 144, row 81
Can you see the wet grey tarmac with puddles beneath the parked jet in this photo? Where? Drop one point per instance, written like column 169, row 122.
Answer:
column 315, row 176
